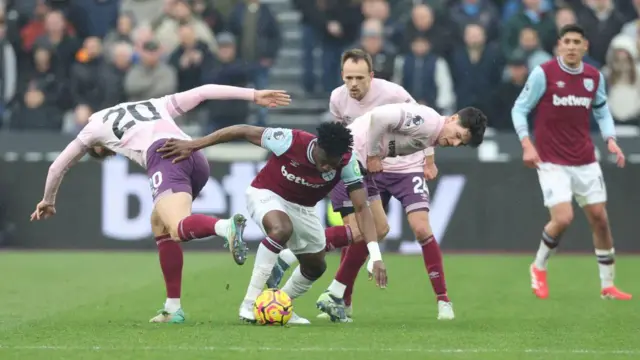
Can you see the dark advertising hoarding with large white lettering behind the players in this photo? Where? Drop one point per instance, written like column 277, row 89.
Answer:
column 475, row 207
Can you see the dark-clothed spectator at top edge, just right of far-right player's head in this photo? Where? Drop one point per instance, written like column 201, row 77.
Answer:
column 601, row 22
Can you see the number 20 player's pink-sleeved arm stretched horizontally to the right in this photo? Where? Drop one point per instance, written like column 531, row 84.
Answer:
column 182, row 102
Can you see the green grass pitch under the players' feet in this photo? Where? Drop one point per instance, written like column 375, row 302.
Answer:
column 96, row 306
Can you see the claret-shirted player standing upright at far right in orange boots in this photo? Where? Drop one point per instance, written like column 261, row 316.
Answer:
column 563, row 92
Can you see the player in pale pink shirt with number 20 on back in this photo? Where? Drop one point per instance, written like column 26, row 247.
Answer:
column 136, row 130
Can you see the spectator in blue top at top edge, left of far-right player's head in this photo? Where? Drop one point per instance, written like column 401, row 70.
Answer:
column 532, row 15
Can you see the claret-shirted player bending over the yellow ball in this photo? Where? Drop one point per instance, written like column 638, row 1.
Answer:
column 282, row 199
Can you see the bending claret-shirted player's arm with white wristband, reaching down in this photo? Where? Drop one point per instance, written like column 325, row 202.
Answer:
column 354, row 182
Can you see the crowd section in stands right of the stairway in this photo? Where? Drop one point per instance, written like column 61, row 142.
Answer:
column 454, row 53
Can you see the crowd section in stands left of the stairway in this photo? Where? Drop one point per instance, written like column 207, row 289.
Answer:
column 64, row 59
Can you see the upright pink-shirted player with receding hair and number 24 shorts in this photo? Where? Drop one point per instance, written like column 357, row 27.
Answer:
column 404, row 178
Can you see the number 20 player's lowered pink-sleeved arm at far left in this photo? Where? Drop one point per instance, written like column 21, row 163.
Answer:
column 69, row 156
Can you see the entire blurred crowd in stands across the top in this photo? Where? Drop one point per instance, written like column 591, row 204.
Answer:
column 60, row 60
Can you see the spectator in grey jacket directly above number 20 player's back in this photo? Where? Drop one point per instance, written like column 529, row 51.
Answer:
column 151, row 78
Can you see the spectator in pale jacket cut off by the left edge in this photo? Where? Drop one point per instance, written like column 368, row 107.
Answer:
column 8, row 68
